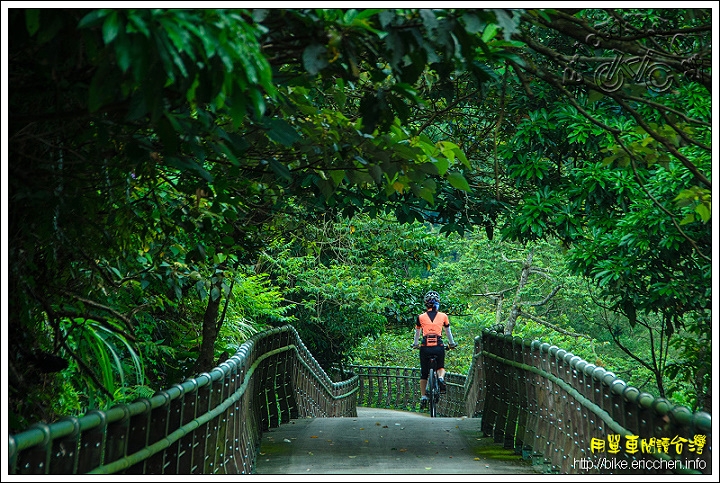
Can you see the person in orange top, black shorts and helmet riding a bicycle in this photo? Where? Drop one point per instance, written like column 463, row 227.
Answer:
column 429, row 327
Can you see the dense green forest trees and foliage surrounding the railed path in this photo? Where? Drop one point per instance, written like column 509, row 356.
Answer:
column 178, row 180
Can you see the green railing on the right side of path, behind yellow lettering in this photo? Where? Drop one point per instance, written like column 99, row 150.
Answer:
column 578, row 418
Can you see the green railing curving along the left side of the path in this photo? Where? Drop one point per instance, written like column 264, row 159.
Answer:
column 211, row 424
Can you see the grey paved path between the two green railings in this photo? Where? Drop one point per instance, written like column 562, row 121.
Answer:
column 382, row 441
